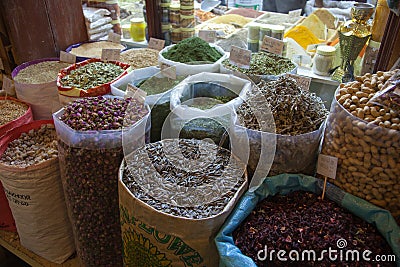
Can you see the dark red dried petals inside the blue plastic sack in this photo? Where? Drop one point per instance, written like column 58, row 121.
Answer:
column 301, row 221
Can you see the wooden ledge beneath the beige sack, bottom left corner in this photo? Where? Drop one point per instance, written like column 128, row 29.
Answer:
column 10, row 241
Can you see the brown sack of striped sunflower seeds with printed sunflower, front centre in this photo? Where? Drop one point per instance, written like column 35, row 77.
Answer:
column 171, row 207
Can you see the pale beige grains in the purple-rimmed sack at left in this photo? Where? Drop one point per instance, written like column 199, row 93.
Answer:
column 42, row 72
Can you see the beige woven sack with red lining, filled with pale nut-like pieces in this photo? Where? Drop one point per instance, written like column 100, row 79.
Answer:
column 30, row 173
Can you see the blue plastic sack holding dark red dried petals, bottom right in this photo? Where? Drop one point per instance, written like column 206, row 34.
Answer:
column 284, row 184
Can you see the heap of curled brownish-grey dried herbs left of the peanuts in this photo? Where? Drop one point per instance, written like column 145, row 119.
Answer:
column 295, row 111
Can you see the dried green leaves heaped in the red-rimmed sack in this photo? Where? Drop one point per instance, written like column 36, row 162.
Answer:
column 92, row 75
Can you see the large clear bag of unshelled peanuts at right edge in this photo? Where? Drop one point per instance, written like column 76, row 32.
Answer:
column 367, row 144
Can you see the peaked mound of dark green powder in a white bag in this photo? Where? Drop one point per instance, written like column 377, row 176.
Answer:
column 191, row 50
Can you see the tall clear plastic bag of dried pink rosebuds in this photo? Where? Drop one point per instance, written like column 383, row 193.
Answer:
column 90, row 147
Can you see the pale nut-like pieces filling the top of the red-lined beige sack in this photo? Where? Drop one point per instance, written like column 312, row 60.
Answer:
column 32, row 148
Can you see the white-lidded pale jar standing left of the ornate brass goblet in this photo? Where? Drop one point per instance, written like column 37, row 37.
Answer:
column 323, row 60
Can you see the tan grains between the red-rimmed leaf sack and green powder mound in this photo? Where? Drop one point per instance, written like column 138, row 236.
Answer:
column 140, row 58
